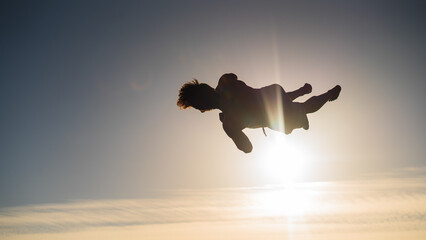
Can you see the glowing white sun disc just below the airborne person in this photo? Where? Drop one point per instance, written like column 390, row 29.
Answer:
column 284, row 161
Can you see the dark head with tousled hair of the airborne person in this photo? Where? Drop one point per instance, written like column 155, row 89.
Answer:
column 198, row 95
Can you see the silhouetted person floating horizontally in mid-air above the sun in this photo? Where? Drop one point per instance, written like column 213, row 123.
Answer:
column 246, row 107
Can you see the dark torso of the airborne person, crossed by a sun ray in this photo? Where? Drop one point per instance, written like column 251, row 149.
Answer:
column 265, row 107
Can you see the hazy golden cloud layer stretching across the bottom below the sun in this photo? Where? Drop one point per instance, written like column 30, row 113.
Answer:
column 388, row 207
